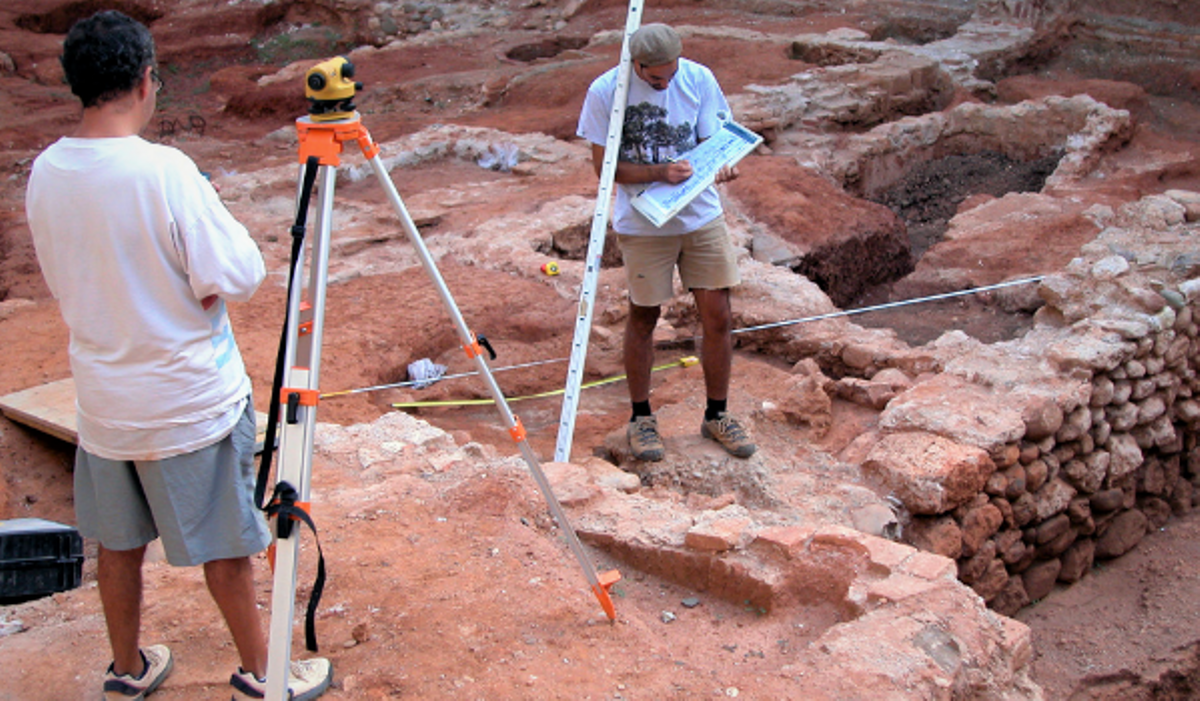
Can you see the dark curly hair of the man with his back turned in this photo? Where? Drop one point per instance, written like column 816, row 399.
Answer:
column 106, row 56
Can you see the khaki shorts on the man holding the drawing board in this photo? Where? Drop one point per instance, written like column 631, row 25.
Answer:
column 705, row 257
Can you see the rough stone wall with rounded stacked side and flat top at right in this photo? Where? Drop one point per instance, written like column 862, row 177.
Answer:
column 1031, row 460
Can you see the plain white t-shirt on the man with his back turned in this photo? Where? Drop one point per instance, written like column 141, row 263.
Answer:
column 131, row 237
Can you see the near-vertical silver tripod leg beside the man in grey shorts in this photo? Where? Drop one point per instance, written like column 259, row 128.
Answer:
column 299, row 420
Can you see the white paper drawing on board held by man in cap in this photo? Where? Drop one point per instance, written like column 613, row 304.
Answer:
column 662, row 201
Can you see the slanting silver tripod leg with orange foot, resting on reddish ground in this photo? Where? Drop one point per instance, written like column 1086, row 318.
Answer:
column 599, row 585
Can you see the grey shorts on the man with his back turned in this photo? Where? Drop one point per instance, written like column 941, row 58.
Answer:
column 201, row 504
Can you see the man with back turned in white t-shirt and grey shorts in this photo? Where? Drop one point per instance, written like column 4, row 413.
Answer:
column 142, row 257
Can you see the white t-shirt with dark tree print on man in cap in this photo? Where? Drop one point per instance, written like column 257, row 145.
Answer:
column 659, row 125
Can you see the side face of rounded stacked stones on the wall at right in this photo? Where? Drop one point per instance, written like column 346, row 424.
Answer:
column 1111, row 472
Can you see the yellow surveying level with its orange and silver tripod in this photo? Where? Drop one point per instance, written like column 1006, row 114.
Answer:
column 322, row 140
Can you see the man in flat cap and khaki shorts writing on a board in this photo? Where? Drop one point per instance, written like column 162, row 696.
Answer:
column 674, row 105
